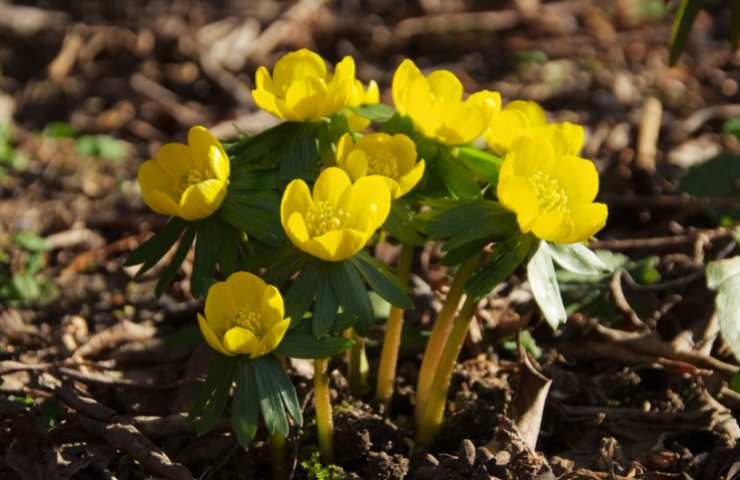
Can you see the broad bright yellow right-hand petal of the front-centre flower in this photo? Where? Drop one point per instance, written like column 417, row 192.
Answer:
column 368, row 202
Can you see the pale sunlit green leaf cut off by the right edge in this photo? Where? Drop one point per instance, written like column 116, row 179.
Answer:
column 724, row 277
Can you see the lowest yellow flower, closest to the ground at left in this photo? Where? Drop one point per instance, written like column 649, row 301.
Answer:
column 243, row 316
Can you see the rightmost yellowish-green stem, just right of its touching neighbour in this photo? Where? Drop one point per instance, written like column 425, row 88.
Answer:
column 435, row 405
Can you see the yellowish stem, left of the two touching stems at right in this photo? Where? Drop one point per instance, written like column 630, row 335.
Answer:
column 440, row 332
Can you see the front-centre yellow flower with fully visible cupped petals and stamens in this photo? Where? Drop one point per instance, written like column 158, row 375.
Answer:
column 337, row 221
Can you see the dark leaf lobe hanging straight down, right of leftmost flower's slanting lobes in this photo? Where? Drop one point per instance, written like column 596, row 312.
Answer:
column 210, row 234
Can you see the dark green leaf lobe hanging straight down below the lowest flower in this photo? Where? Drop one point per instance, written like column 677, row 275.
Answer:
column 245, row 407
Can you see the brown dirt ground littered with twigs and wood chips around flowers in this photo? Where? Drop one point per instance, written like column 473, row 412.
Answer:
column 96, row 372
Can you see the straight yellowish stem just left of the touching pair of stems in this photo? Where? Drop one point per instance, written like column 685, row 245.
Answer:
column 392, row 337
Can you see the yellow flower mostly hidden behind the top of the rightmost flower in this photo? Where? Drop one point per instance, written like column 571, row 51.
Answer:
column 526, row 118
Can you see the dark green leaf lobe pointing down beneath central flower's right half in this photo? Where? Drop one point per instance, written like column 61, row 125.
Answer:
column 351, row 293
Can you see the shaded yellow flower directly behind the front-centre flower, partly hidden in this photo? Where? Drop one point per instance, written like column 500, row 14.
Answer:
column 392, row 157
